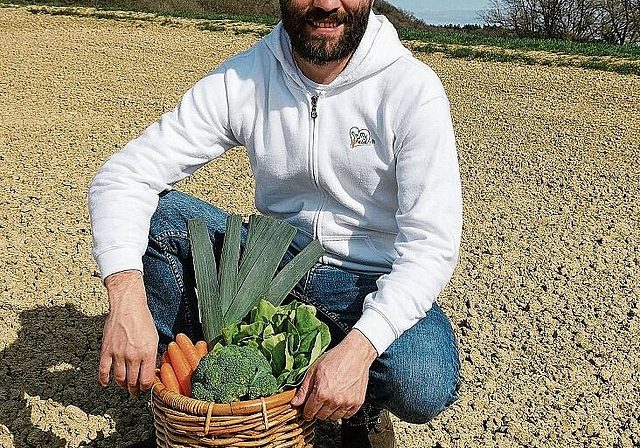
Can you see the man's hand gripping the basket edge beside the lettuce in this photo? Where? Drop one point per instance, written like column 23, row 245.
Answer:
column 336, row 384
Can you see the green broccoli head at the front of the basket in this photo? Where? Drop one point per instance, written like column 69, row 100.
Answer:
column 233, row 373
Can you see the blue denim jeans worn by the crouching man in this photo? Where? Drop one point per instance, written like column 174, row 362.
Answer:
column 416, row 378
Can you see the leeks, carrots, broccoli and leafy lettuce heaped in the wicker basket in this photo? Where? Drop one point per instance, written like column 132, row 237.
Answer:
column 275, row 344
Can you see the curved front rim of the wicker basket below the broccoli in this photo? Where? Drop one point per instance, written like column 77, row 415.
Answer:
column 193, row 405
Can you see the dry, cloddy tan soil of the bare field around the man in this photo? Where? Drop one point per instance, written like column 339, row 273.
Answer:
column 544, row 300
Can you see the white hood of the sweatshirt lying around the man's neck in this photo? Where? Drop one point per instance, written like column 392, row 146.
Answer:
column 379, row 48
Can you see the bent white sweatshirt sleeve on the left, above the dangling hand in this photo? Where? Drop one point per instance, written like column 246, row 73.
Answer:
column 123, row 195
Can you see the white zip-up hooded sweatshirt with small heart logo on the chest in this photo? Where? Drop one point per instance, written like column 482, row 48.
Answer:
column 366, row 164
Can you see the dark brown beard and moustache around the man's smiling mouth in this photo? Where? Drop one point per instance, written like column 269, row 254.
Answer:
column 319, row 49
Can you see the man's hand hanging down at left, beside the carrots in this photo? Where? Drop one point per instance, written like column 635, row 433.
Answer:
column 130, row 339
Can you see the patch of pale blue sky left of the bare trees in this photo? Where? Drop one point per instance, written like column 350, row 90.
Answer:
column 443, row 12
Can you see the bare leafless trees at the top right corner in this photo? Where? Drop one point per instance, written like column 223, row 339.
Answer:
column 612, row 21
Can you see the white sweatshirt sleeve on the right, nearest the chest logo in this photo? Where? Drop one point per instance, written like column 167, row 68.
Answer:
column 429, row 219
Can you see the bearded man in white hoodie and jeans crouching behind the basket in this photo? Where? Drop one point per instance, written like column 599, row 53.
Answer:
column 350, row 140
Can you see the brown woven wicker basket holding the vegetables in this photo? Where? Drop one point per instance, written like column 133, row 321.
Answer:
column 271, row 422
